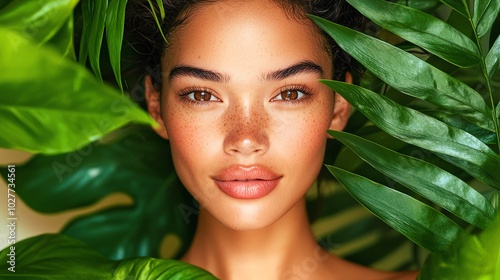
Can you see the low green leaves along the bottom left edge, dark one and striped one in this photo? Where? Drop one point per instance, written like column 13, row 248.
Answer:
column 46, row 257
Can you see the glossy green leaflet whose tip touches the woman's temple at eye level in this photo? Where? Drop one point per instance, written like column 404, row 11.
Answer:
column 420, row 130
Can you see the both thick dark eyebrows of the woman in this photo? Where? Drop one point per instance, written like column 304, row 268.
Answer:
column 301, row 67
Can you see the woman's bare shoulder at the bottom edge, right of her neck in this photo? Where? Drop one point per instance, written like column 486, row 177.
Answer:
column 347, row 270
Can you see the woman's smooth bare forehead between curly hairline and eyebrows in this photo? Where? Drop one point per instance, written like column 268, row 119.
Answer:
column 250, row 36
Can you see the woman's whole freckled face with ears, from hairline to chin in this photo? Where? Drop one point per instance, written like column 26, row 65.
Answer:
column 243, row 110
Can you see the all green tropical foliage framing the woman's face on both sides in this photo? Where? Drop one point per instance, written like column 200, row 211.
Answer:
column 58, row 107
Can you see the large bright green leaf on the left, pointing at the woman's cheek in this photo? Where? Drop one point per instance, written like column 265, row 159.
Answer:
column 56, row 106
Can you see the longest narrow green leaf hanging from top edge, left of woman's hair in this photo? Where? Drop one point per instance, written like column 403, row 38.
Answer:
column 115, row 24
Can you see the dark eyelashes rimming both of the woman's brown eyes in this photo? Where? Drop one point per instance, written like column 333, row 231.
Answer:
column 183, row 94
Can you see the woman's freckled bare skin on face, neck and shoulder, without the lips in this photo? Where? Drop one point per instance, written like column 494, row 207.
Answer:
column 240, row 88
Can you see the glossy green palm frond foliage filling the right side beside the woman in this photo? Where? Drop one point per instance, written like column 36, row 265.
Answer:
column 450, row 118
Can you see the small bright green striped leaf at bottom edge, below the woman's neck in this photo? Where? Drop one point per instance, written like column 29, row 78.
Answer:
column 158, row 269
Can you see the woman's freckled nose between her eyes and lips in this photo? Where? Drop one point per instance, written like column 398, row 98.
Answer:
column 246, row 130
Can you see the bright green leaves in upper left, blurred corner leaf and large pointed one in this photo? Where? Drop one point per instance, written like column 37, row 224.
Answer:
column 40, row 88
